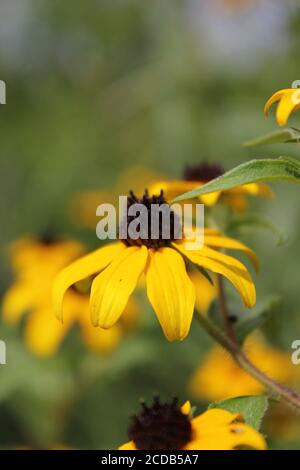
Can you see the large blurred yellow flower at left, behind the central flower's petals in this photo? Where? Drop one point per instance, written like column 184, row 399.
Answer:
column 35, row 264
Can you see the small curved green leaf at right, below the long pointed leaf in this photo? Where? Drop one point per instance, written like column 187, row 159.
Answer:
column 252, row 222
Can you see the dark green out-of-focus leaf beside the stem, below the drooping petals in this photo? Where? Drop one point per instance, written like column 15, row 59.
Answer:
column 250, row 321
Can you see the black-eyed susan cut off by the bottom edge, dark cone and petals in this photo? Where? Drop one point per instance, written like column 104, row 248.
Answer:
column 167, row 426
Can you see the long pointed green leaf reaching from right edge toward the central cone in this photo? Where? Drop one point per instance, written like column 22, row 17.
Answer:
column 254, row 171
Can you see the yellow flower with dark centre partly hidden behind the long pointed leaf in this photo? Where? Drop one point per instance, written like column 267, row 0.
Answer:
column 199, row 174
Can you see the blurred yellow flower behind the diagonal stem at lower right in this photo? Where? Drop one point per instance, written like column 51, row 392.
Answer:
column 219, row 377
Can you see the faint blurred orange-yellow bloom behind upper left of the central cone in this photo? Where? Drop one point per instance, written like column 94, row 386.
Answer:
column 84, row 204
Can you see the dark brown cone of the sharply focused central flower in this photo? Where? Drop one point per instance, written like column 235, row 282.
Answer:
column 159, row 214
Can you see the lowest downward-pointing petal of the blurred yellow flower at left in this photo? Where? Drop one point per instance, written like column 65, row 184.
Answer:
column 44, row 333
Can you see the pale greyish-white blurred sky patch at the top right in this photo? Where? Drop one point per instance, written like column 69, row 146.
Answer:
column 241, row 38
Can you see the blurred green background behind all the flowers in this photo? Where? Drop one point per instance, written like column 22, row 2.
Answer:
column 95, row 89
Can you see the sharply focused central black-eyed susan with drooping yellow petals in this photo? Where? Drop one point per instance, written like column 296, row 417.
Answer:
column 170, row 290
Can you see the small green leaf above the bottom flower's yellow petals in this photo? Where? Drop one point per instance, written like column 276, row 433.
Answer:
column 252, row 408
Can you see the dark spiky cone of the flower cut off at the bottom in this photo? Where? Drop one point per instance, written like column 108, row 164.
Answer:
column 162, row 426
